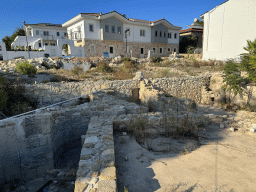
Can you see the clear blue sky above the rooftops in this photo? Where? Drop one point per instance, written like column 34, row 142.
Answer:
column 177, row 12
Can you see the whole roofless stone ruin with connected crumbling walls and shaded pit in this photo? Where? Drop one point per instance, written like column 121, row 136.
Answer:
column 32, row 144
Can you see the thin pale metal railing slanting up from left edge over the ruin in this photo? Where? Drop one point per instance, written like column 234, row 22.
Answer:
column 42, row 108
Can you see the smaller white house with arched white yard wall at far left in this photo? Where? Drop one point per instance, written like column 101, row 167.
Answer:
column 41, row 40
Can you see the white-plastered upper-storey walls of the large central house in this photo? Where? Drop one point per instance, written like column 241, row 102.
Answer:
column 135, row 26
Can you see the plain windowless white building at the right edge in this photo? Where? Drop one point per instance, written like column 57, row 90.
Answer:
column 226, row 29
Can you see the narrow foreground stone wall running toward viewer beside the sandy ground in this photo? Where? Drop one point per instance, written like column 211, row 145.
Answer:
column 97, row 161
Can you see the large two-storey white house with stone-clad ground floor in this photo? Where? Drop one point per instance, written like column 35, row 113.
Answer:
column 99, row 33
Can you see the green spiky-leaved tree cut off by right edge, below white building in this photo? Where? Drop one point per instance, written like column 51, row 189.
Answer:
column 248, row 62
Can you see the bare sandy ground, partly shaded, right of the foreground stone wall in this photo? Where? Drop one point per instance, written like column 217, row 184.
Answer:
column 224, row 162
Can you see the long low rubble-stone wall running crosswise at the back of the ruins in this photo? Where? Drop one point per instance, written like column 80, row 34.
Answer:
column 54, row 92
